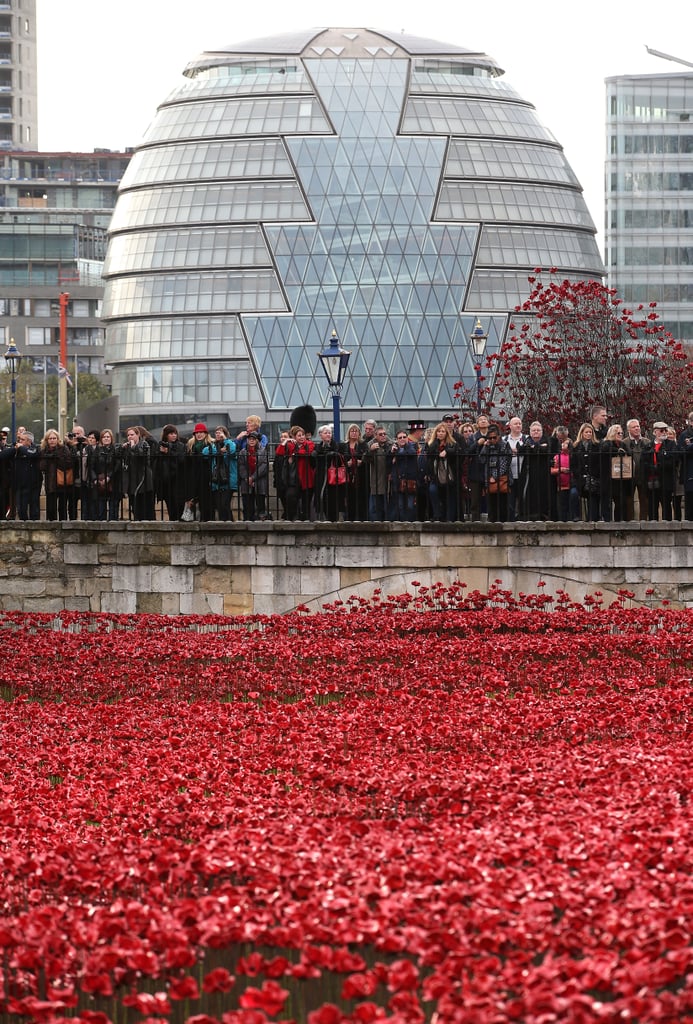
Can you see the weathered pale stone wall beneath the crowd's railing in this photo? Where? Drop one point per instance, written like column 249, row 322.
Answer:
column 233, row 569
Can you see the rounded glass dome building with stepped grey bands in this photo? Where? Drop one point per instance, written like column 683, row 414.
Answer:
column 388, row 188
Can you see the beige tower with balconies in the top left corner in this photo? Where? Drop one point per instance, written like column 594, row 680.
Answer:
column 19, row 107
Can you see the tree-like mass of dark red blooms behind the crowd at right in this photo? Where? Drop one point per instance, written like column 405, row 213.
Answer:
column 573, row 346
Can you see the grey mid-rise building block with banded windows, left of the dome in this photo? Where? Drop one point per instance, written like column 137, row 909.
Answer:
column 55, row 211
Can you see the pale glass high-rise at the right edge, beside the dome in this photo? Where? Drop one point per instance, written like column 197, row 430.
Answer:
column 649, row 195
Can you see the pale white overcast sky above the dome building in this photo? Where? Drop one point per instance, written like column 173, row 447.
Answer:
column 105, row 67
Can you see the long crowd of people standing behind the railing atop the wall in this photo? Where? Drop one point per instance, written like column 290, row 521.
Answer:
column 452, row 472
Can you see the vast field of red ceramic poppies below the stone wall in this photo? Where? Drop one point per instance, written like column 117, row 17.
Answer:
column 443, row 807
